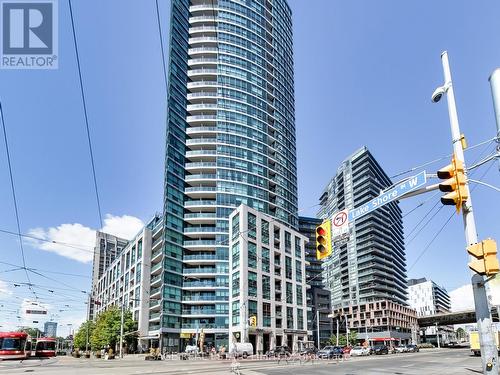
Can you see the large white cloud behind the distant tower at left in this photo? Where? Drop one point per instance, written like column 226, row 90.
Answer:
column 81, row 239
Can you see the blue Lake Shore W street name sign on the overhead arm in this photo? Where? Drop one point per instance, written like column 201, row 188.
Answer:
column 388, row 196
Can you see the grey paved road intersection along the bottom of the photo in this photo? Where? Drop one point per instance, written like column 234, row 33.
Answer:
column 440, row 362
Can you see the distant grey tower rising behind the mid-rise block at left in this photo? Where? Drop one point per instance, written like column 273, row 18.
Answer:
column 106, row 249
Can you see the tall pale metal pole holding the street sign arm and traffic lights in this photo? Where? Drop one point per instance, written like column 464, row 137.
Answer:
column 489, row 354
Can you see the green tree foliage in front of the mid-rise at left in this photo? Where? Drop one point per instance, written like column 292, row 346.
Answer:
column 107, row 328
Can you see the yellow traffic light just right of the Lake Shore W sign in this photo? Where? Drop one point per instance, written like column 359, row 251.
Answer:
column 454, row 184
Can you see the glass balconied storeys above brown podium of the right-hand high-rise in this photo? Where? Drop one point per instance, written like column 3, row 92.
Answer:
column 371, row 266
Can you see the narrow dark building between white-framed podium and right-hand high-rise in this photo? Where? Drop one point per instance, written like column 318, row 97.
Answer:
column 318, row 298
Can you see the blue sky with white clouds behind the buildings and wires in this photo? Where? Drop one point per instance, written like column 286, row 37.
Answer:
column 364, row 75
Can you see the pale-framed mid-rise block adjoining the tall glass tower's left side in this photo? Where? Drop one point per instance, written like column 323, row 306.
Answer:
column 132, row 282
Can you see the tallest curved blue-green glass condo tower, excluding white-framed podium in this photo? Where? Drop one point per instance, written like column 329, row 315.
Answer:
column 230, row 140
